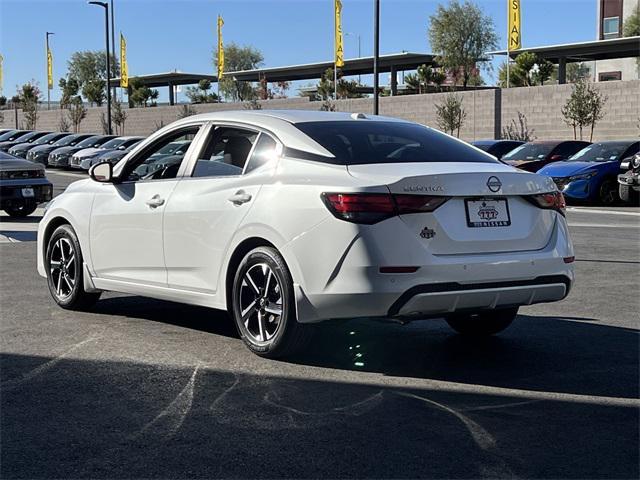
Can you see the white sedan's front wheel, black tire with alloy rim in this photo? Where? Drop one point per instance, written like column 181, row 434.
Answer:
column 69, row 294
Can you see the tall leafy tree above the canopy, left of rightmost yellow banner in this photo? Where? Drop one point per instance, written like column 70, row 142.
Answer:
column 460, row 34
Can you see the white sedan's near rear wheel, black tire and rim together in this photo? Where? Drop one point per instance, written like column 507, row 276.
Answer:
column 287, row 336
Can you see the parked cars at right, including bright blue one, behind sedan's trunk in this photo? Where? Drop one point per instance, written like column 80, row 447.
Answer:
column 601, row 172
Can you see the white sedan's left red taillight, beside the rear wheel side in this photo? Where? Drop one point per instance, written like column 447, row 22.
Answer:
column 369, row 208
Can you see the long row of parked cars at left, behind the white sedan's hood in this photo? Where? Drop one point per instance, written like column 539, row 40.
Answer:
column 63, row 149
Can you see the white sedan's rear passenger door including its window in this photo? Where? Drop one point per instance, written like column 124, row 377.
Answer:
column 207, row 207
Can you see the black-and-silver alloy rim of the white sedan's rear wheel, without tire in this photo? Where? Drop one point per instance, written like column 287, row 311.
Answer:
column 261, row 303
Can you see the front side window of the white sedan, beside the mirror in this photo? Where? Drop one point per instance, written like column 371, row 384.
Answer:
column 151, row 164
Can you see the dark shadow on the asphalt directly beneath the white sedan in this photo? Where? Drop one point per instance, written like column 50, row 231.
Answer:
column 571, row 355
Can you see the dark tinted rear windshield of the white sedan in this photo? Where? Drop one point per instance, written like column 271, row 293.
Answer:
column 357, row 143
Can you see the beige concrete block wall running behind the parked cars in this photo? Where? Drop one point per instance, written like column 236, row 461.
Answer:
column 487, row 111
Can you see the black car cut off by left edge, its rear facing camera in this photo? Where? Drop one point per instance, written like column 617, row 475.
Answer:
column 23, row 185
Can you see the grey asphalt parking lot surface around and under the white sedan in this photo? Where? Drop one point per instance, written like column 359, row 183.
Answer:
column 142, row 388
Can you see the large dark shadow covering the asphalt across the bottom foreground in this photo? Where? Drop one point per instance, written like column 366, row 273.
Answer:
column 78, row 418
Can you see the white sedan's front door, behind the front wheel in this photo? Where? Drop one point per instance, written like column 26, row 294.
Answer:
column 126, row 219
